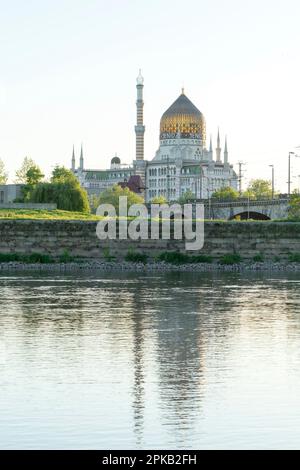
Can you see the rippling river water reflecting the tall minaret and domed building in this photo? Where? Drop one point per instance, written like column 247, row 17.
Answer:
column 128, row 361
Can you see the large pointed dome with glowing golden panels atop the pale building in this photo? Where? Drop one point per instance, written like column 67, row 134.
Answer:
column 183, row 118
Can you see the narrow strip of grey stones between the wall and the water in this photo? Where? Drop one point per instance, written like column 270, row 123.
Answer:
column 106, row 266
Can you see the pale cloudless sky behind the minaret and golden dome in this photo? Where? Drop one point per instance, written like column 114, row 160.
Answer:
column 68, row 73
